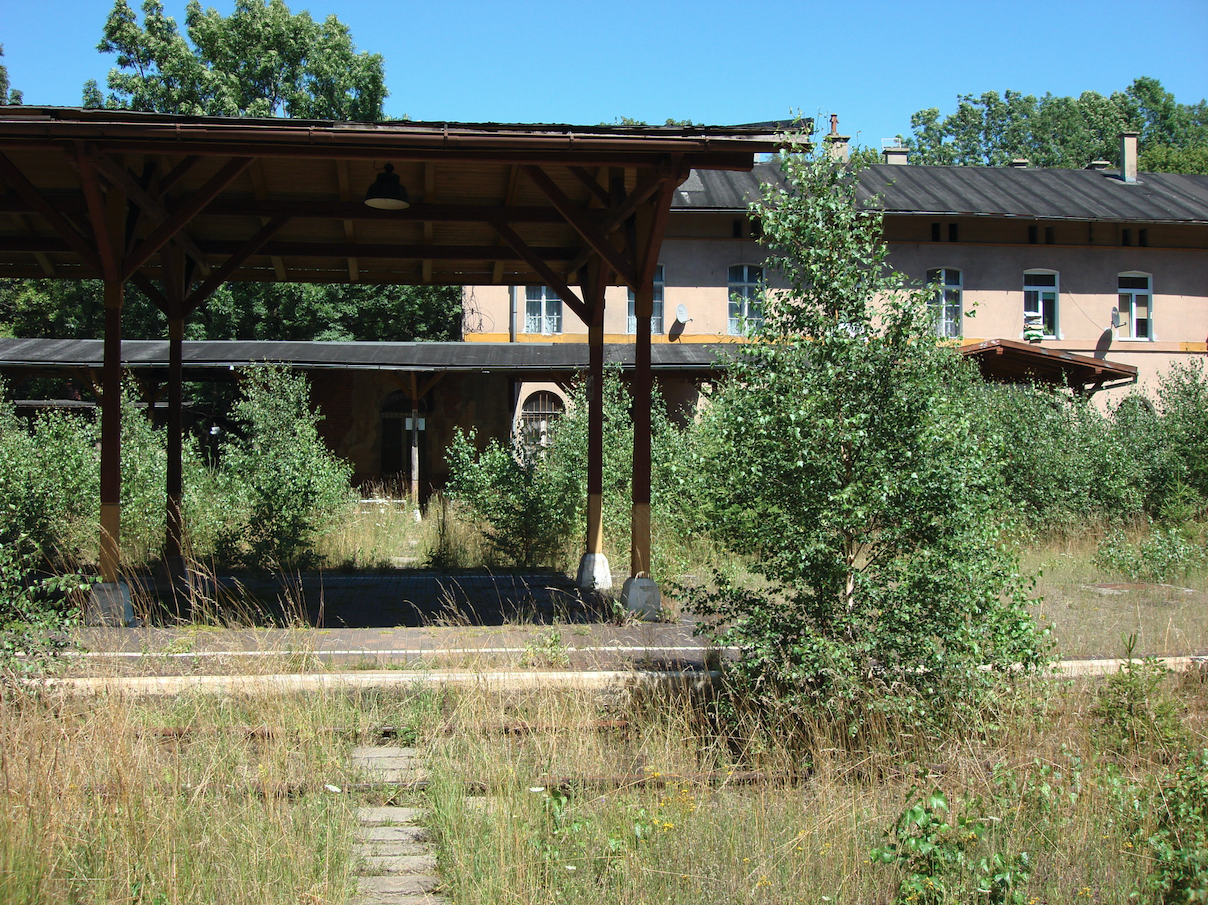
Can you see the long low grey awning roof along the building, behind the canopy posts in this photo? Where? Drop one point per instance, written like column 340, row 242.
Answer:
column 357, row 356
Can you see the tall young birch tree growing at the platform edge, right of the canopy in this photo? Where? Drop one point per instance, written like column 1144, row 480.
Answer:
column 843, row 459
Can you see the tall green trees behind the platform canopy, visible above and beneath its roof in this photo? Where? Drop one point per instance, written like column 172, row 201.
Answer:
column 260, row 61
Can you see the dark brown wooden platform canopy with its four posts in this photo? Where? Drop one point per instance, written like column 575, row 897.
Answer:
column 181, row 205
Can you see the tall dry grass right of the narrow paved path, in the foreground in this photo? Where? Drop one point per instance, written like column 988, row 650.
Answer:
column 672, row 821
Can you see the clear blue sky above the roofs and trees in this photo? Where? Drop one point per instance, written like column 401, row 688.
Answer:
column 873, row 63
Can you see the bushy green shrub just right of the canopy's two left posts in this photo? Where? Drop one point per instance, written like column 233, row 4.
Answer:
column 282, row 478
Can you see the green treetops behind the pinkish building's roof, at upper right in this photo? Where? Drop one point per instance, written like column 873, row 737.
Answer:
column 994, row 130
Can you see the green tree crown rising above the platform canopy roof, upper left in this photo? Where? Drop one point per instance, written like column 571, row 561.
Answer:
column 262, row 61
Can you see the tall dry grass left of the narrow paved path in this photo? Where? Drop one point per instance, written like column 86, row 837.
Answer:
column 196, row 799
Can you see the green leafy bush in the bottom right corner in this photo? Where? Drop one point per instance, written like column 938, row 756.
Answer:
column 1180, row 846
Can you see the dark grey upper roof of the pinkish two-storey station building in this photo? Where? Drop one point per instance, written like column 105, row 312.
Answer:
column 981, row 192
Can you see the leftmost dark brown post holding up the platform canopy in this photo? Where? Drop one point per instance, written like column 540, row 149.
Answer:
column 112, row 434
